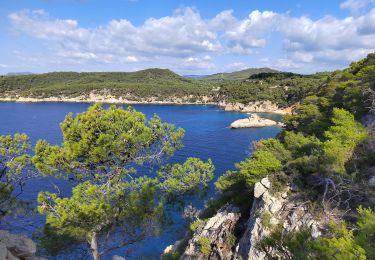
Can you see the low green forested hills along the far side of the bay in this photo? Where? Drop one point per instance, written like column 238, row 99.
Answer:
column 245, row 86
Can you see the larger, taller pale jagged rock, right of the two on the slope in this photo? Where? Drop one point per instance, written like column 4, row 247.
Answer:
column 269, row 210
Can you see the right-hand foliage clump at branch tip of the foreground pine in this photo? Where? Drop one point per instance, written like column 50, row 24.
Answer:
column 193, row 175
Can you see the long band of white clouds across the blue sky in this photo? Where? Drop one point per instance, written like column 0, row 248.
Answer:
column 186, row 41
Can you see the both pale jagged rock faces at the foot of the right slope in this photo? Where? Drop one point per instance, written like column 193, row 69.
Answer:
column 268, row 210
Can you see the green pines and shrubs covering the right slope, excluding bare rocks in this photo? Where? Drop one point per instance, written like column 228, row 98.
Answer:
column 323, row 150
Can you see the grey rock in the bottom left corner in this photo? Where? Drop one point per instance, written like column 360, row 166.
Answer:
column 13, row 247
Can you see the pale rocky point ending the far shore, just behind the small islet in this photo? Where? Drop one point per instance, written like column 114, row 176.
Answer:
column 255, row 107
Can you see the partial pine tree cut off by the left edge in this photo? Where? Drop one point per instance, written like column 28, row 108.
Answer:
column 14, row 159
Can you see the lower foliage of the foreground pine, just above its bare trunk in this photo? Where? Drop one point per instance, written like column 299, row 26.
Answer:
column 99, row 208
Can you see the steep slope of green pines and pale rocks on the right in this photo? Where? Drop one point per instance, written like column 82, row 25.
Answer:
column 309, row 192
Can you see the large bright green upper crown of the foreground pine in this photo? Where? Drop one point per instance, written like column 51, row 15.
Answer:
column 100, row 142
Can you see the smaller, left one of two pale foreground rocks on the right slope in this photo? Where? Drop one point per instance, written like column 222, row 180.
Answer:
column 212, row 239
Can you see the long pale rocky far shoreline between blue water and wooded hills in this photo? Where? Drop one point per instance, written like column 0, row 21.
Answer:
column 256, row 107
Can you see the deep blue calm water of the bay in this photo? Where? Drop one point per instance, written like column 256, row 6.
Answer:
column 207, row 136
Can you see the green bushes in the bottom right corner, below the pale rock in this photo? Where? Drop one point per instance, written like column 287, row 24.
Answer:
column 340, row 243
